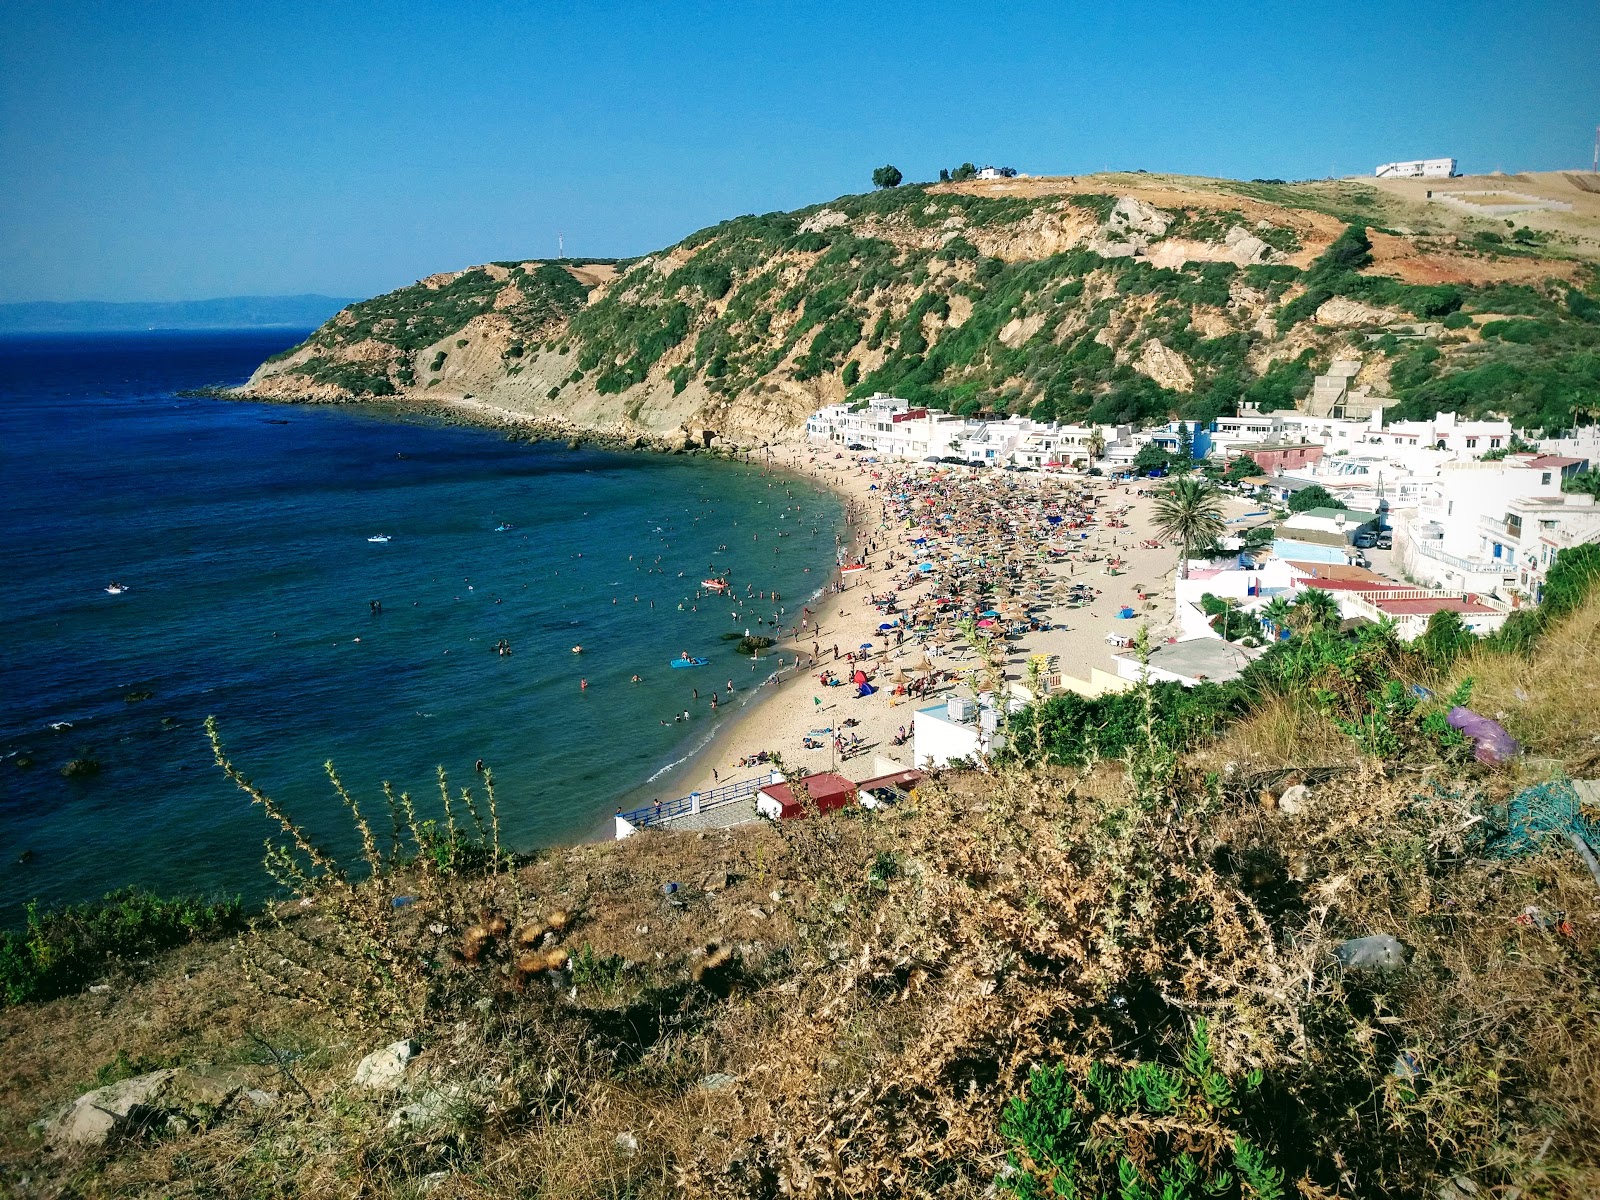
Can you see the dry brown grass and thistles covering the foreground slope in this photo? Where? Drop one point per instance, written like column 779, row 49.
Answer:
column 878, row 985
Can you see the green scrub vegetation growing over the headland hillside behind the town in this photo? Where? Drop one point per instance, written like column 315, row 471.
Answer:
column 895, row 292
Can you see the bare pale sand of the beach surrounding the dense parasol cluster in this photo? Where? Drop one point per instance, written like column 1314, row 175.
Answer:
column 799, row 706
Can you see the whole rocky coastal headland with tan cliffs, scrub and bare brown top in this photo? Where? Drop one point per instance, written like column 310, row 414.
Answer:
column 1110, row 298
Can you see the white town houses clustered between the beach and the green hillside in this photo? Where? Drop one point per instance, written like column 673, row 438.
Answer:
column 1471, row 514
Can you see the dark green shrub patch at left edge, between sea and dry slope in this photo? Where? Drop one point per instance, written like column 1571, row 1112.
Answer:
column 66, row 950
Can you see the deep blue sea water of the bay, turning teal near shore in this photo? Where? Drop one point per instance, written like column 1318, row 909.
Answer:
column 241, row 534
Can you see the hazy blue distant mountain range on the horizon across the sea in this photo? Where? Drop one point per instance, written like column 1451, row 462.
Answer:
column 230, row 313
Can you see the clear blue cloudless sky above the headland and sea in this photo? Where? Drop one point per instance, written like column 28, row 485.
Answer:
column 175, row 151
